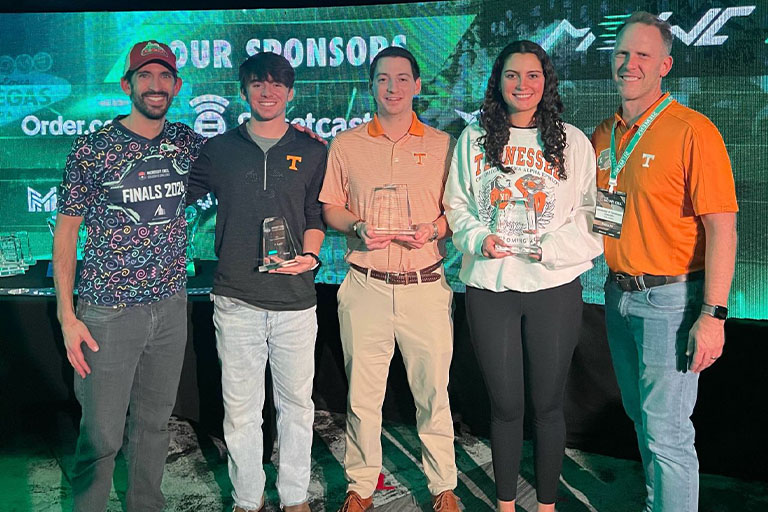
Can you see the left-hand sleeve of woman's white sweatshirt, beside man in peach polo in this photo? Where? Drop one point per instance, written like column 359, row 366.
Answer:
column 459, row 200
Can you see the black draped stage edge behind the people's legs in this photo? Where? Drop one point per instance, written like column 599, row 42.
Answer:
column 730, row 416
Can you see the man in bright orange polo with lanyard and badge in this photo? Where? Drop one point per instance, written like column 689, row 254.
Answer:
column 671, row 257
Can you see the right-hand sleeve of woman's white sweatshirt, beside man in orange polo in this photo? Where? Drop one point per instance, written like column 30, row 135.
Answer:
column 574, row 242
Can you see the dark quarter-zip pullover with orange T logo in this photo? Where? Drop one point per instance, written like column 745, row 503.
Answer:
column 251, row 186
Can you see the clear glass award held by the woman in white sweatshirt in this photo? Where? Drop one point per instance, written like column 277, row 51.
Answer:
column 517, row 225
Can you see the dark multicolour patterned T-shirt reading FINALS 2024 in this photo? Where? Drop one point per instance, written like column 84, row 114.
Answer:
column 130, row 192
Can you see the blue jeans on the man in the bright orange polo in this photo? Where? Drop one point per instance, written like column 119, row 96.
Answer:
column 648, row 336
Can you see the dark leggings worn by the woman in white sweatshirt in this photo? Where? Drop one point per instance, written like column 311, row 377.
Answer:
column 524, row 343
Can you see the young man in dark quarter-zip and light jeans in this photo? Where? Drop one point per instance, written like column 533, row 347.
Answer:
column 261, row 169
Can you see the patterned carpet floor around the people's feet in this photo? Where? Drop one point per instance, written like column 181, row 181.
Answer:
column 36, row 453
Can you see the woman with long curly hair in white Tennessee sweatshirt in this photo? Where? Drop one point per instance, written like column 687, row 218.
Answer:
column 520, row 199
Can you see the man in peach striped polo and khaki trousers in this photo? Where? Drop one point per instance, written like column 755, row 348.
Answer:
column 395, row 290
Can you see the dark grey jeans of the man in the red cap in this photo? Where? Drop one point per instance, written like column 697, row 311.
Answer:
column 136, row 370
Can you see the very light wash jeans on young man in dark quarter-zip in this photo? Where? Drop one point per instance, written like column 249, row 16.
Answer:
column 246, row 336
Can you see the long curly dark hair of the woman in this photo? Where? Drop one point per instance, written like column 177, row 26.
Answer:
column 494, row 117
